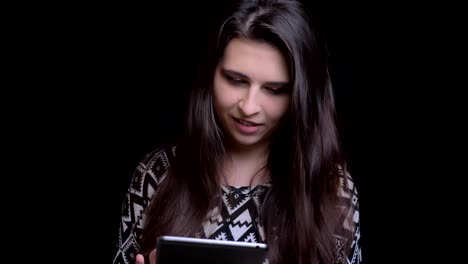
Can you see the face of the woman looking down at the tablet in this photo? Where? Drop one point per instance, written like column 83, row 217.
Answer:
column 251, row 91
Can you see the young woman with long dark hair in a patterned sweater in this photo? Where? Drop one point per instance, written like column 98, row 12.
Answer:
column 260, row 160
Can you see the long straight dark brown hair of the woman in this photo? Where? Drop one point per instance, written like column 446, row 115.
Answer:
column 301, row 213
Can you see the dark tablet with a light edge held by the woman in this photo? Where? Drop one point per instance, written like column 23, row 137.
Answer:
column 175, row 250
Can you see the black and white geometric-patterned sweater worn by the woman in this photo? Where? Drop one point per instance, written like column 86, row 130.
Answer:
column 238, row 219
